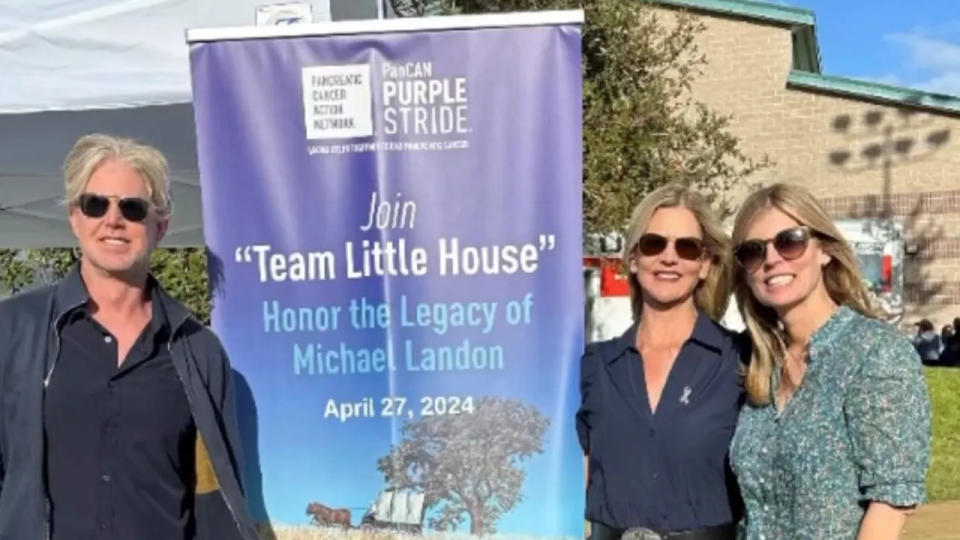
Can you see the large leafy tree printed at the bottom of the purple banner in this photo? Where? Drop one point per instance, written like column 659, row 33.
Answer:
column 467, row 465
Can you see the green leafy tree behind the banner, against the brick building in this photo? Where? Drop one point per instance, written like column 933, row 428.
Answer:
column 641, row 126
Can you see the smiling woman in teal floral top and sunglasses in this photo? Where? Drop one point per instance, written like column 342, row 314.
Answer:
column 834, row 441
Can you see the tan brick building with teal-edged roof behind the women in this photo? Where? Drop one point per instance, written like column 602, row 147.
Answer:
column 865, row 150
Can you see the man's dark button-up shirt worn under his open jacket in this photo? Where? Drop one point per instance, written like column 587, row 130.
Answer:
column 120, row 441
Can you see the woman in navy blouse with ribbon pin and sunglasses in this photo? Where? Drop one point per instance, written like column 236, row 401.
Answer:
column 659, row 404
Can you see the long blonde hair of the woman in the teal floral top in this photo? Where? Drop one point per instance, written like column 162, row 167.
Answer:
column 841, row 277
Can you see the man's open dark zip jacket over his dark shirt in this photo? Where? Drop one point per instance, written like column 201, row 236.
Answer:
column 30, row 327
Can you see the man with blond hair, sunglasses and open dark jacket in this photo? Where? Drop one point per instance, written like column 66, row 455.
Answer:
column 117, row 418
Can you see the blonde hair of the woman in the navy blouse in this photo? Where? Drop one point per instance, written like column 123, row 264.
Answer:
column 713, row 293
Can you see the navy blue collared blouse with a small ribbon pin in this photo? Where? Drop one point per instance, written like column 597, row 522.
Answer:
column 666, row 471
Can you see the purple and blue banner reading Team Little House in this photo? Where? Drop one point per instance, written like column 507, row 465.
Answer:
column 394, row 222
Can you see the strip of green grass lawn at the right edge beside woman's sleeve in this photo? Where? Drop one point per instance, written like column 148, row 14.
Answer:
column 943, row 480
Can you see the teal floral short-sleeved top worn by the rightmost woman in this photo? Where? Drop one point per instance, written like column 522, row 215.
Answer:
column 857, row 430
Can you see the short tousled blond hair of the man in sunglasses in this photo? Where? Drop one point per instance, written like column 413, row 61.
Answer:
column 90, row 151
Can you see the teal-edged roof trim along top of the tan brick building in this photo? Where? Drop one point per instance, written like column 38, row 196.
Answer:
column 806, row 70
